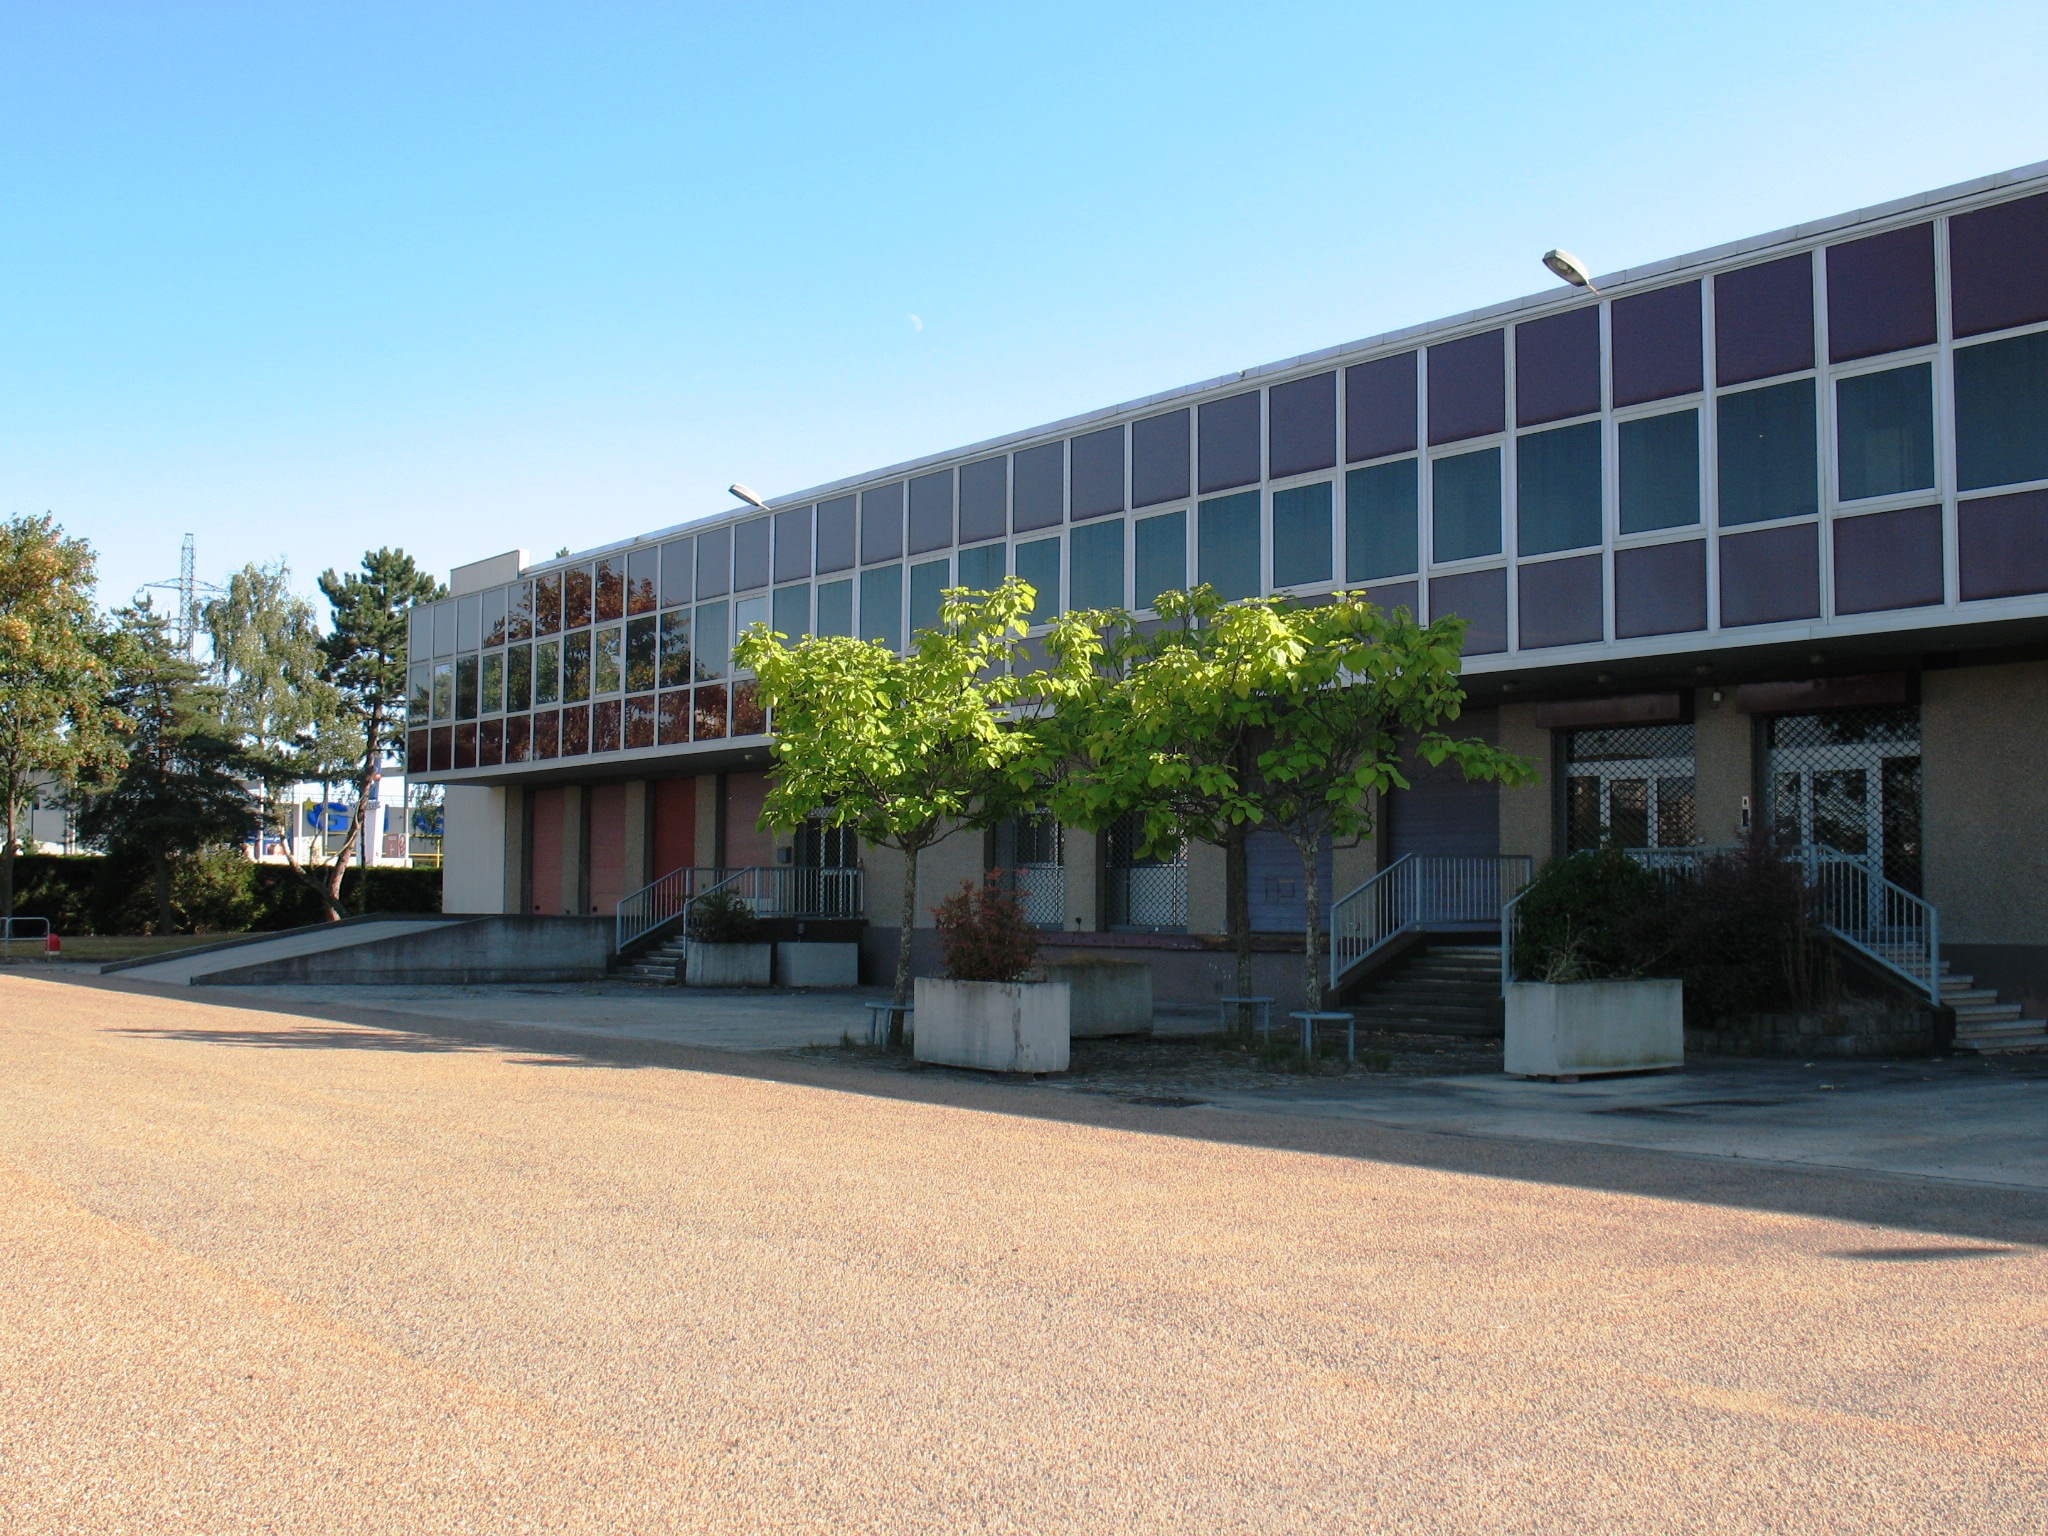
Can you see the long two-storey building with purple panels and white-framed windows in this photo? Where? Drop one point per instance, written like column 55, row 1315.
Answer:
column 1754, row 534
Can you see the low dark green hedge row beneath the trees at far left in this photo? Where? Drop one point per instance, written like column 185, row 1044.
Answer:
column 216, row 894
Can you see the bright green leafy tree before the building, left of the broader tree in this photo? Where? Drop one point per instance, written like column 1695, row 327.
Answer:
column 900, row 749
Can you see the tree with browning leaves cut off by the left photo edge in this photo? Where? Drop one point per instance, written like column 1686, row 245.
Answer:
column 54, row 720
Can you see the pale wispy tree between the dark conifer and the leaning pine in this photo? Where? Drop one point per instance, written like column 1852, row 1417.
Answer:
column 273, row 697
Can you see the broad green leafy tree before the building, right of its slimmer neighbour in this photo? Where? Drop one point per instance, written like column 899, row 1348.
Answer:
column 1269, row 714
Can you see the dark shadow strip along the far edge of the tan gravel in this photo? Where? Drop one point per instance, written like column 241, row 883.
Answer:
column 1926, row 1205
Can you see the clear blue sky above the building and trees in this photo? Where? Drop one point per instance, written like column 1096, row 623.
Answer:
column 464, row 278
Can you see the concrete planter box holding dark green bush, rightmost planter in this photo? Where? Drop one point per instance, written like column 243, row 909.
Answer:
column 1584, row 1029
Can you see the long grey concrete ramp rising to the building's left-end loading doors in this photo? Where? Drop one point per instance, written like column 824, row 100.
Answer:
column 384, row 951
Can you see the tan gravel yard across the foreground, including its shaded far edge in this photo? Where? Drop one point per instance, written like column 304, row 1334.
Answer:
column 265, row 1273
